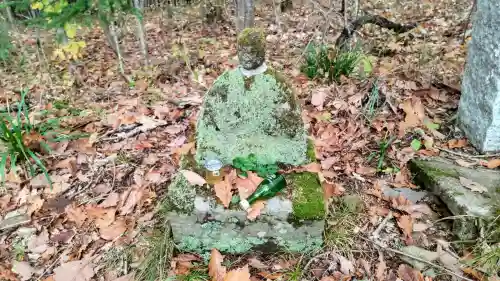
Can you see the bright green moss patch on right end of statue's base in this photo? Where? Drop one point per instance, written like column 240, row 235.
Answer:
column 307, row 196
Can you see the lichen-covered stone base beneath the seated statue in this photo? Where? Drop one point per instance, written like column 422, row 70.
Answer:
column 199, row 223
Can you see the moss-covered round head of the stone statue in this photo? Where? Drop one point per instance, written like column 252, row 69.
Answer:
column 251, row 48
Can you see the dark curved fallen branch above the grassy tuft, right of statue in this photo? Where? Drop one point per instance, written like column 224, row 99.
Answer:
column 373, row 19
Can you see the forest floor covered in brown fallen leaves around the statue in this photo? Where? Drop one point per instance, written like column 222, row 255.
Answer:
column 95, row 221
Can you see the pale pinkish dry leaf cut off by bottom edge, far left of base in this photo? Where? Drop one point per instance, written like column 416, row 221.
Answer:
column 81, row 270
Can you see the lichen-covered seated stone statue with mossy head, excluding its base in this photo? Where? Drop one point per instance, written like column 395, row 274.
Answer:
column 251, row 109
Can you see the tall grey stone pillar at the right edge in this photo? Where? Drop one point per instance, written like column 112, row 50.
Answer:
column 479, row 109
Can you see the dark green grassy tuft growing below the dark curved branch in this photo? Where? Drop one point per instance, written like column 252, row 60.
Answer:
column 331, row 63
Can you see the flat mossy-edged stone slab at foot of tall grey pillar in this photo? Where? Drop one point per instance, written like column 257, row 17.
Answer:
column 442, row 177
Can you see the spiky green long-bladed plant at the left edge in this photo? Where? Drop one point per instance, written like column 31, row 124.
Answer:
column 22, row 140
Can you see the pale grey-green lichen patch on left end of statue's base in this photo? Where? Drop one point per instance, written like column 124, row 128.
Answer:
column 180, row 195
